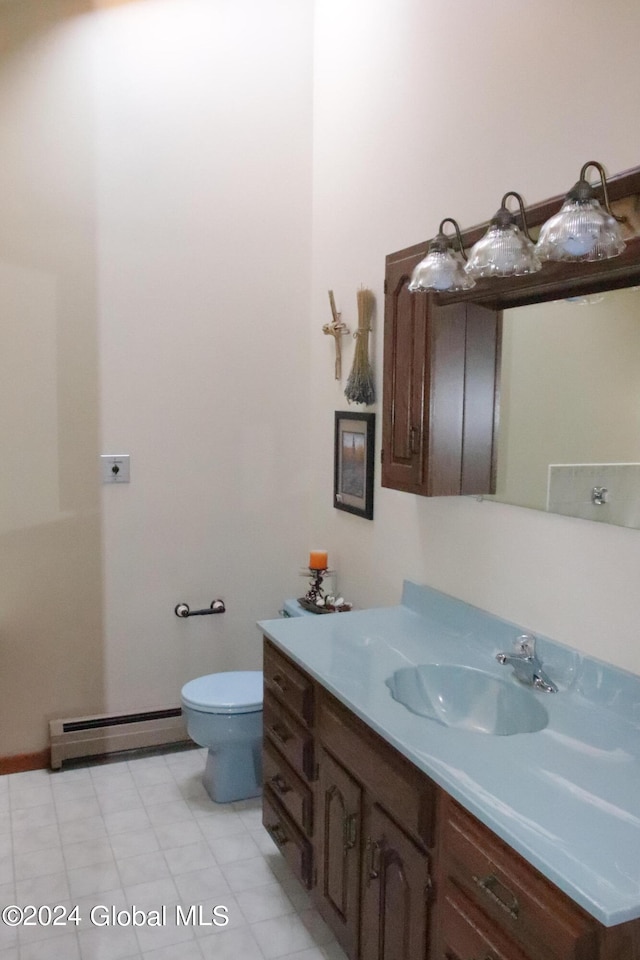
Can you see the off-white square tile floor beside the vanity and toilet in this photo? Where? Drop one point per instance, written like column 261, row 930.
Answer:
column 143, row 832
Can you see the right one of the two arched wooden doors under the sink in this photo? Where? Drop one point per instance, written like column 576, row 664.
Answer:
column 396, row 887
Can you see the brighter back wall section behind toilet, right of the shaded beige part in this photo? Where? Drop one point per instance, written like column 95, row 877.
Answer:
column 203, row 135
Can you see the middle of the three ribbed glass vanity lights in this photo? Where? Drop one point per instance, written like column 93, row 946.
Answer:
column 505, row 250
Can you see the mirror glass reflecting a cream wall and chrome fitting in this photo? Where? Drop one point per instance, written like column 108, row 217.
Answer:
column 570, row 407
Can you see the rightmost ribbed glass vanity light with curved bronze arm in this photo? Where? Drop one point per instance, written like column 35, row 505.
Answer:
column 582, row 229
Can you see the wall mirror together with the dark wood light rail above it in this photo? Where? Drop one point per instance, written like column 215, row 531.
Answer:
column 568, row 437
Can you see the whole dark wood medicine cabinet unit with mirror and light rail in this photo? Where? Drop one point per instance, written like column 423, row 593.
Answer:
column 524, row 390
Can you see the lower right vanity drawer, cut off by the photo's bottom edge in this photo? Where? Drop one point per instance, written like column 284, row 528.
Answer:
column 465, row 933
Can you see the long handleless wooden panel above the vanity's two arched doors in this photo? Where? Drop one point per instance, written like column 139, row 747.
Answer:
column 403, row 790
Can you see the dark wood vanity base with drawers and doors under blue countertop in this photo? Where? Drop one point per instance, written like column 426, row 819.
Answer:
column 397, row 868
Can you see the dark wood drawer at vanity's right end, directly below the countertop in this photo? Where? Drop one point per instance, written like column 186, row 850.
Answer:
column 509, row 890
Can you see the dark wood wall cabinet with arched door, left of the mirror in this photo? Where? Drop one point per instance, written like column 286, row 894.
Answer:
column 440, row 391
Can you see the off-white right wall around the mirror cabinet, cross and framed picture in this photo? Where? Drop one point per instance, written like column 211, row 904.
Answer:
column 427, row 110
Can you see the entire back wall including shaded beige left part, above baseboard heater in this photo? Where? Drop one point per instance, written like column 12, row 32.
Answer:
column 155, row 259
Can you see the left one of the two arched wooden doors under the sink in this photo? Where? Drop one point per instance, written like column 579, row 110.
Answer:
column 337, row 891
